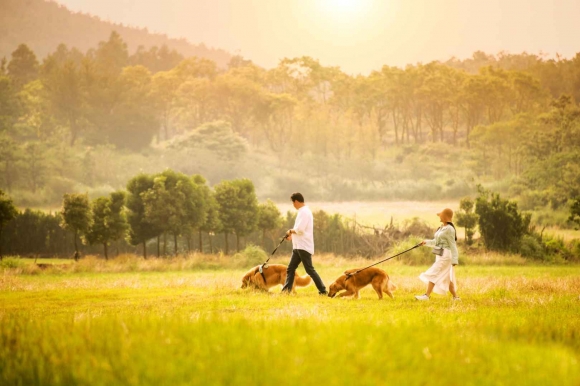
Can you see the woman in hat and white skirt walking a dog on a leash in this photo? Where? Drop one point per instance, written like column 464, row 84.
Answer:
column 440, row 278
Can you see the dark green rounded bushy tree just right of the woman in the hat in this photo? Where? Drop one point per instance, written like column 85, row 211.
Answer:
column 500, row 222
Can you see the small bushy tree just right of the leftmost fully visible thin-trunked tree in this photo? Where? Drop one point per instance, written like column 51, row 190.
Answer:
column 109, row 221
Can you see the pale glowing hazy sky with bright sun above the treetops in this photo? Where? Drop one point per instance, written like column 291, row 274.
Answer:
column 357, row 35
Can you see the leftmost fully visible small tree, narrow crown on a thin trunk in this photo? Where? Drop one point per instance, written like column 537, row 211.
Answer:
column 76, row 216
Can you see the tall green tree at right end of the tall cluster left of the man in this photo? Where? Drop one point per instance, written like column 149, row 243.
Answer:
column 238, row 208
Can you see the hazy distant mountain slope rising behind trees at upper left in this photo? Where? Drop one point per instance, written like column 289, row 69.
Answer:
column 43, row 25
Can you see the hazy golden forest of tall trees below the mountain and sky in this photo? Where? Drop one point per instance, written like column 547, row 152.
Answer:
column 513, row 118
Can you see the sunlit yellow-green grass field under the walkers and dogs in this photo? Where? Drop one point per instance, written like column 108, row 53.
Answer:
column 114, row 323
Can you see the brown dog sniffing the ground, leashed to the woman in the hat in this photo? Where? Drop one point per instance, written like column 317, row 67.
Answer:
column 374, row 276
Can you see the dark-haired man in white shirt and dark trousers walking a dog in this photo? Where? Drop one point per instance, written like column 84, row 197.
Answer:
column 302, row 236
